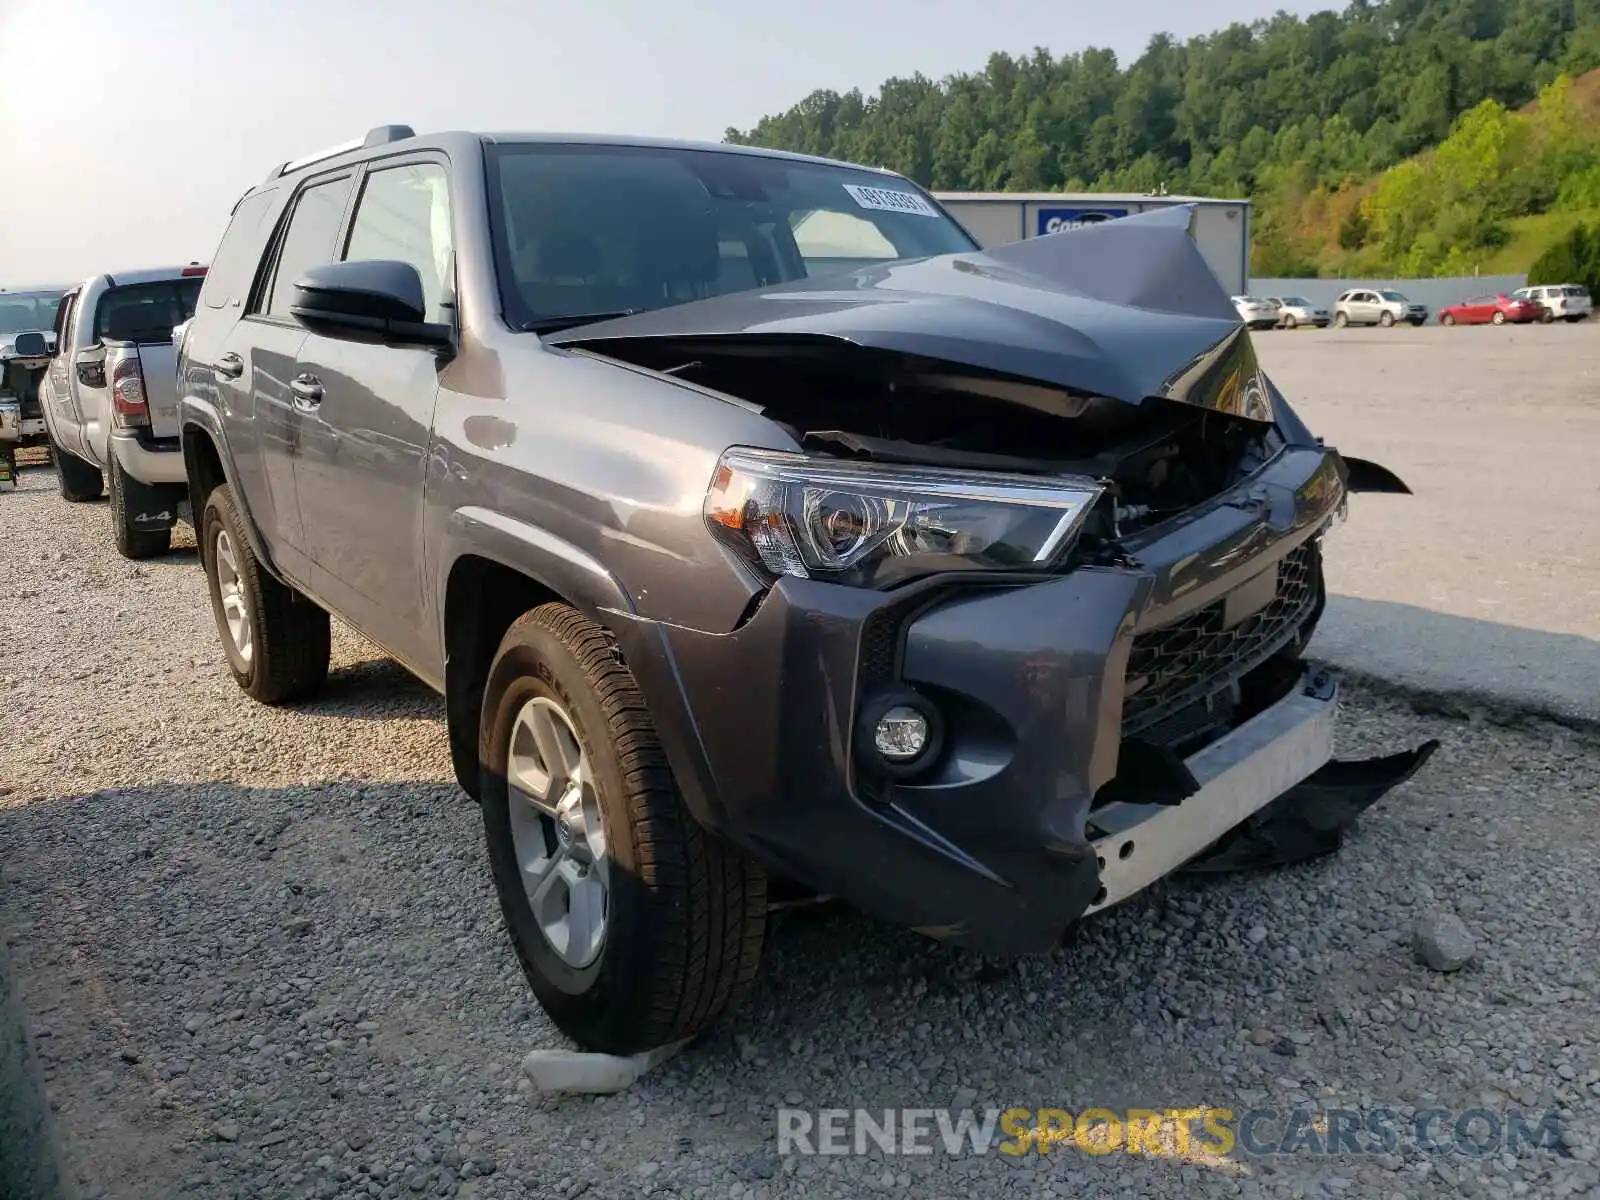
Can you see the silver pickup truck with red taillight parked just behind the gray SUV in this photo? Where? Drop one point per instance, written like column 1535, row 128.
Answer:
column 111, row 401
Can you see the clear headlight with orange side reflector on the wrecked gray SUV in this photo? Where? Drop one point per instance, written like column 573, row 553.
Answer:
column 873, row 526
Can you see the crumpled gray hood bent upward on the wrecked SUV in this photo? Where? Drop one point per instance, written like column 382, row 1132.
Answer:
column 1126, row 310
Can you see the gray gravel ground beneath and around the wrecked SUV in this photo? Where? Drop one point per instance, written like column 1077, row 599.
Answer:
column 260, row 956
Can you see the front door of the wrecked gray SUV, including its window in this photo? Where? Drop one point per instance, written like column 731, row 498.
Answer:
column 367, row 414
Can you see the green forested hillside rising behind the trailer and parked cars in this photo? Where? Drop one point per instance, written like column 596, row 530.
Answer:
column 1398, row 137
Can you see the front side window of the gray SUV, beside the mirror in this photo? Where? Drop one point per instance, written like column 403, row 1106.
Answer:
column 404, row 215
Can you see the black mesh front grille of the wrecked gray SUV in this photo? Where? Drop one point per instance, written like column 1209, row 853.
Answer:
column 1194, row 658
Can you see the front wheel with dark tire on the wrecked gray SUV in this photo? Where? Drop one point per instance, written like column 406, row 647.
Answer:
column 684, row 914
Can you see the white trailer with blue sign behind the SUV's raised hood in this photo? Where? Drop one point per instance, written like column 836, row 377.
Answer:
column 1222, row 228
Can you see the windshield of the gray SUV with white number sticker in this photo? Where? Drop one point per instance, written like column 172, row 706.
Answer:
column 615, row 230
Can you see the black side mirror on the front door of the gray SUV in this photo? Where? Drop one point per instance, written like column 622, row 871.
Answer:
column 369, row 302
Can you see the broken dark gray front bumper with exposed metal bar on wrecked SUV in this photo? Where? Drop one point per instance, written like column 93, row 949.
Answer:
column 1026, row 822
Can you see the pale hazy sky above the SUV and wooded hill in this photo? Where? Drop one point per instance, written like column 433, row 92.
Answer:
column 130, row 127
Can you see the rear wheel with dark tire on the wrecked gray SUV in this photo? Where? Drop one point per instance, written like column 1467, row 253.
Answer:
column 287, row 642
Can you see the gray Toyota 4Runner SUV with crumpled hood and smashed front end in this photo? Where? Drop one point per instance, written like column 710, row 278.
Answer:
column 756, row 524
